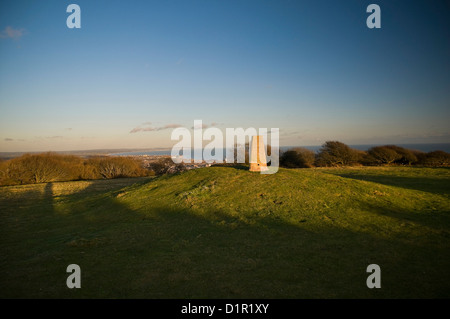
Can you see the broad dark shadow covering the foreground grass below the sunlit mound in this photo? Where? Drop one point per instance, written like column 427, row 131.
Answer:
column 160, row 251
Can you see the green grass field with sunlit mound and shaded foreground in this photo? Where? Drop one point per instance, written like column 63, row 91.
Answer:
column 228, row 233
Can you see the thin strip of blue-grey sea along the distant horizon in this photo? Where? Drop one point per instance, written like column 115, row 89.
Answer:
column 362, row 147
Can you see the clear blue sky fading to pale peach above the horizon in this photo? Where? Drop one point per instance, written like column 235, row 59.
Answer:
column 136, row 70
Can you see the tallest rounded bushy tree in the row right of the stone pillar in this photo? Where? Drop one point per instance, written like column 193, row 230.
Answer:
column 334, row 153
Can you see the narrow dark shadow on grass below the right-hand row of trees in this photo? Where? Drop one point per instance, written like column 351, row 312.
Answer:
column 426, row 184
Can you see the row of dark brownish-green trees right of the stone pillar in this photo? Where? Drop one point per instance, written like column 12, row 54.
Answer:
column 334, row 153
